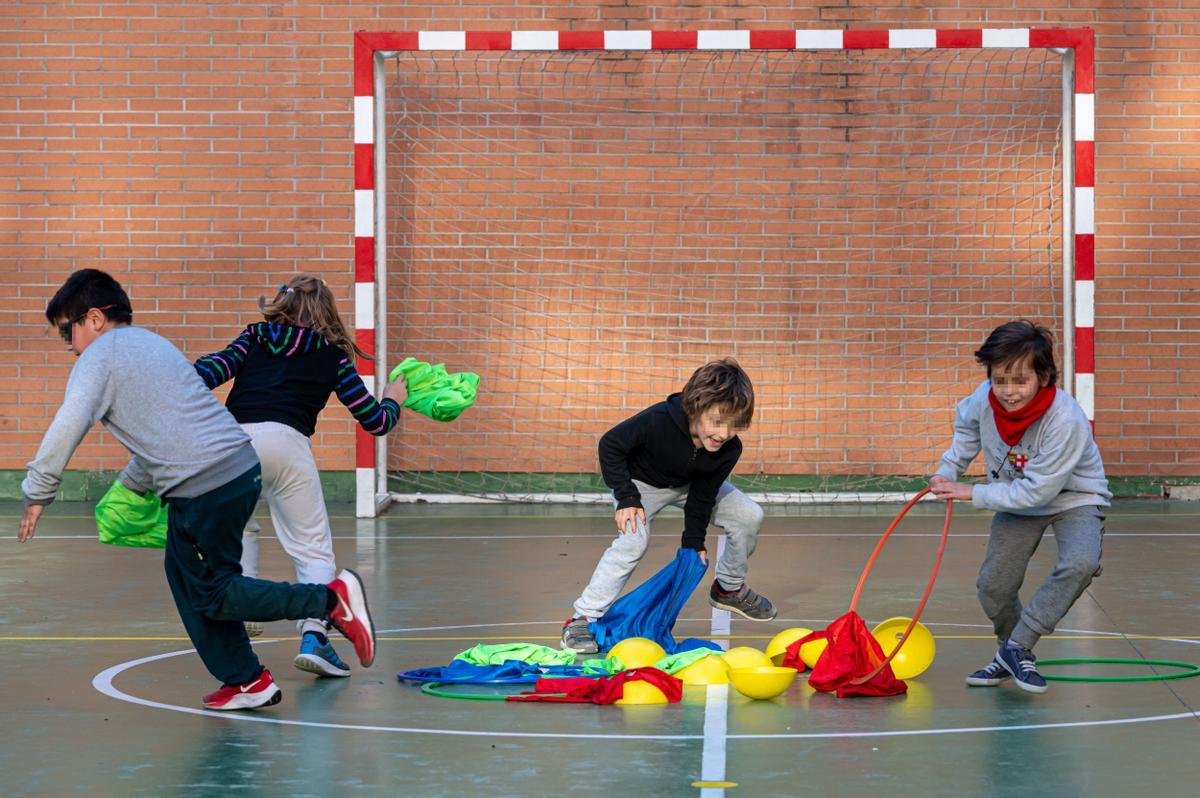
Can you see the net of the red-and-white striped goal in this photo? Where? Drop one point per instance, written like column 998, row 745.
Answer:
column 585, row 230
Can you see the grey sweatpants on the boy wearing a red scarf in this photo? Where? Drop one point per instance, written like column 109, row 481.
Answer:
column 1011, row 547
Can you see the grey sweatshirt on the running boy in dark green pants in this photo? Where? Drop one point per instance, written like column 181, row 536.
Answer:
column 148, row 395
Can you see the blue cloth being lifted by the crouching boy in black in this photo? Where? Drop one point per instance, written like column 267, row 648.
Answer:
column 652, row 610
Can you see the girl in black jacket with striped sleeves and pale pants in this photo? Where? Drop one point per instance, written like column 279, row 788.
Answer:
column 285, row 370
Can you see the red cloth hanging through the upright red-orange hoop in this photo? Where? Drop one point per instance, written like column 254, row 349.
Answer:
column 851, row 655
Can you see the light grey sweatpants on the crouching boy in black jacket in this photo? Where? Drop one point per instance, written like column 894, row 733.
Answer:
column 735, row 513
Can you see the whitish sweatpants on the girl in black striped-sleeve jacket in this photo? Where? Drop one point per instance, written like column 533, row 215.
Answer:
column 292, row 489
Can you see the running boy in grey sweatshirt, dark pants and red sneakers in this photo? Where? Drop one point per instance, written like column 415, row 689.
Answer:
column 189, row 451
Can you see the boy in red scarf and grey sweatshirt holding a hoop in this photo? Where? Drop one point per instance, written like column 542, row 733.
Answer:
column 1043, row 471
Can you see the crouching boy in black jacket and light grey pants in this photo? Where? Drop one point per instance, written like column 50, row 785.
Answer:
column 679, row 453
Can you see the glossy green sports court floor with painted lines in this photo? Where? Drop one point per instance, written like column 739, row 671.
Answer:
column 101, row 693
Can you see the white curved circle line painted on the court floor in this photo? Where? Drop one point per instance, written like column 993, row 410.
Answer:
column 104, row 683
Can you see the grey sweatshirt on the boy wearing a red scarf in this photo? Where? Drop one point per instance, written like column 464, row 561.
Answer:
column 1054, row 467
